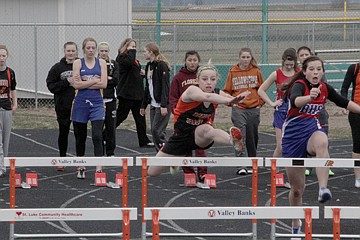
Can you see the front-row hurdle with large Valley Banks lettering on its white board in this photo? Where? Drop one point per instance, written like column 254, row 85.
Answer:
column 218, row 213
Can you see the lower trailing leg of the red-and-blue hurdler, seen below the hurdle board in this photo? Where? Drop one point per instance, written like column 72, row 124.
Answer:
column 296, row 178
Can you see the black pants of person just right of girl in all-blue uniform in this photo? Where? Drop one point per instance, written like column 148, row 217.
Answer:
column 110, row 128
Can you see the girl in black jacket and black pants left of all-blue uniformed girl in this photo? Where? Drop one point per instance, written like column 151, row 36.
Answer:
column 58, row 82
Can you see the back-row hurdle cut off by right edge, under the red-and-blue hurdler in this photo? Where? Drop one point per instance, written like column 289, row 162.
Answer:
column 304, row 163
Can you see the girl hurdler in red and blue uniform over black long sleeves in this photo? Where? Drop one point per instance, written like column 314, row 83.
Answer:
column 302, row 132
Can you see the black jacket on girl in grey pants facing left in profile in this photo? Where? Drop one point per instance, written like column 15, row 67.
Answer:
column 161, row 84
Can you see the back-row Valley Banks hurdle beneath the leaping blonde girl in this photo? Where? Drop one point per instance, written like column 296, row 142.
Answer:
column 196, row 162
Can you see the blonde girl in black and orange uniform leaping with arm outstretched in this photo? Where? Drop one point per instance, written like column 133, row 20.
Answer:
column 191, row 116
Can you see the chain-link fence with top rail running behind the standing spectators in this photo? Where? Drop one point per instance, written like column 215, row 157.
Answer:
column 33, row 49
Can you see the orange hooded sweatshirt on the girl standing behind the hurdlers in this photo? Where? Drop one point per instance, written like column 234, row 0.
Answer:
column 239, row 81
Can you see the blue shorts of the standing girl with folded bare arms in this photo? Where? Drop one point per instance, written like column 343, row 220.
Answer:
column 84, row 110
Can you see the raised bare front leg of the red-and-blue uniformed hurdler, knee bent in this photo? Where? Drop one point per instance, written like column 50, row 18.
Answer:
column 318, row 146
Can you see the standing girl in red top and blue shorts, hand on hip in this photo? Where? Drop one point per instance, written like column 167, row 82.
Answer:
column 288, row 69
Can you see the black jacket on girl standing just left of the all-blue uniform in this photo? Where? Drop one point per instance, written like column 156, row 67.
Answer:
column 58, row 84
